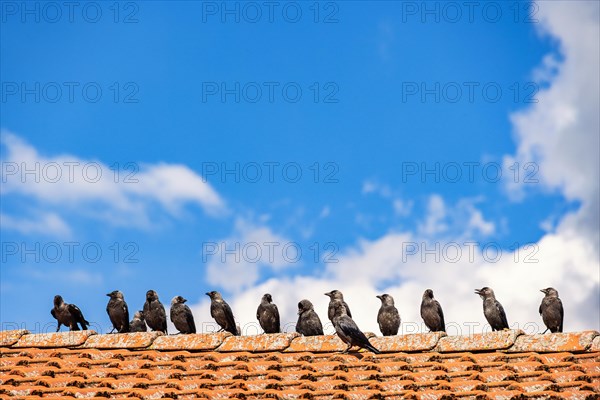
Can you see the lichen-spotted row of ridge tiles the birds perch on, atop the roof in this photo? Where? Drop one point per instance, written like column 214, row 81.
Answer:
column 510, row 341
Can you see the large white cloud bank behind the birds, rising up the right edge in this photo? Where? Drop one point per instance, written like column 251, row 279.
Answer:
column 560, row 134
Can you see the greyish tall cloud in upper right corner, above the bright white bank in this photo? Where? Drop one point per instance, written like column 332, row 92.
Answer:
column 560, row 132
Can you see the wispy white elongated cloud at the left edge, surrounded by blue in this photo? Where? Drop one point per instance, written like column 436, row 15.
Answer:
column 120, row 196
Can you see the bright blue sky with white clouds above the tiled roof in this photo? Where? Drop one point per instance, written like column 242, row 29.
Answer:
column 379, row 103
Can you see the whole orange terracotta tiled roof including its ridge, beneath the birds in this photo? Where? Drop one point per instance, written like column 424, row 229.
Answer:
column 498, row 365
